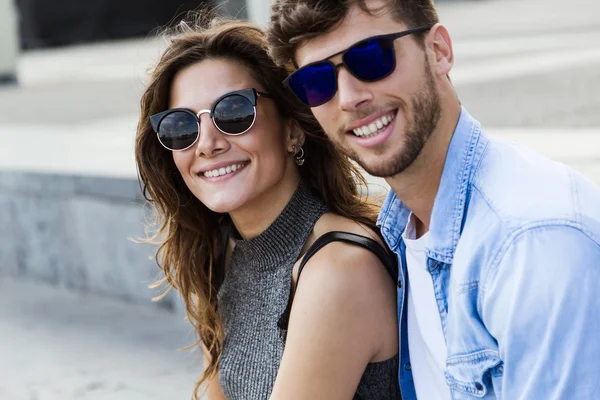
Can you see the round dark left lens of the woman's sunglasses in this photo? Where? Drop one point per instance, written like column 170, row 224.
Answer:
column 178, row 130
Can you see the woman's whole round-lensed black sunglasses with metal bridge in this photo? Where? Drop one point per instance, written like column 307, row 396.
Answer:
column 233, row 113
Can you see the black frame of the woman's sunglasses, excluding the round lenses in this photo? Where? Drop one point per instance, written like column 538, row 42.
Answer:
column 250, row 94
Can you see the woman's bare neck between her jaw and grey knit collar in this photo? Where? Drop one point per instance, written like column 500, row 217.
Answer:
column 255, row 217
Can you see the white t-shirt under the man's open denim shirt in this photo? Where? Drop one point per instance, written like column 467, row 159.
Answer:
column 426, row 342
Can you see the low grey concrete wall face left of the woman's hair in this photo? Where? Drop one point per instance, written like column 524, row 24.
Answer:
column 73, row 231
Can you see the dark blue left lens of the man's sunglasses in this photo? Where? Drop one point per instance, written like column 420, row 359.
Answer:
column 314, row 84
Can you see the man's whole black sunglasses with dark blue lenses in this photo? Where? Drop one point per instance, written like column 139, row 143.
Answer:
column 369, row 60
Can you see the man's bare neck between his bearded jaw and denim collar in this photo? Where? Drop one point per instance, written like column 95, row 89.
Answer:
column 418, row 185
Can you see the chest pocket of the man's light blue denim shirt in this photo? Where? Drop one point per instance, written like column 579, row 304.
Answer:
column 467, row 375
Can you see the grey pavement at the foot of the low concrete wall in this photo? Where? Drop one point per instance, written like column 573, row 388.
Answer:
column 60, row 345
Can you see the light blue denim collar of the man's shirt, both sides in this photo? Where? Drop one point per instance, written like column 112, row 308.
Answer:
column 451, row 200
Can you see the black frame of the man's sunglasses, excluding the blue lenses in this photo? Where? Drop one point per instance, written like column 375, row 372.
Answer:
column 388, row 38
